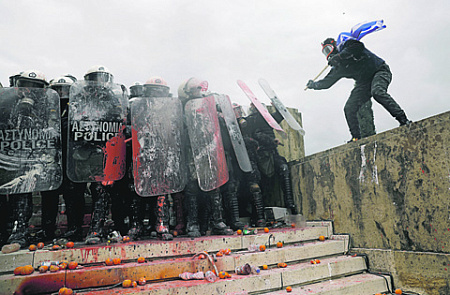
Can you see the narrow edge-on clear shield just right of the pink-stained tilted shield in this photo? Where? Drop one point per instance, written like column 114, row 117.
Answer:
column 237, row 140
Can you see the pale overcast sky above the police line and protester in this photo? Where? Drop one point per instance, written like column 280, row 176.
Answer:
column 223, row 41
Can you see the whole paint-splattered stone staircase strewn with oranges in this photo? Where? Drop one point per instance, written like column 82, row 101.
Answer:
column 336, row 273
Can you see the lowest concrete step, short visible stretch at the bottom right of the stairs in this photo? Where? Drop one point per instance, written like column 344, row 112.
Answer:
column 359, row 284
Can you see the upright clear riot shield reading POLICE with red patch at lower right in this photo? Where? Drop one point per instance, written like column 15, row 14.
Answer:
column 96, row 140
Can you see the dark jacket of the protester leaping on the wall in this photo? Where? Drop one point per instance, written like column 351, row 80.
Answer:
column 354, row 62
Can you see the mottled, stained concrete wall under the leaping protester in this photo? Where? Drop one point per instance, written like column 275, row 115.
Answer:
column 391, row 193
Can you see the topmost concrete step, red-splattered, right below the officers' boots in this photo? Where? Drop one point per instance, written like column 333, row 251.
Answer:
column 151, row 249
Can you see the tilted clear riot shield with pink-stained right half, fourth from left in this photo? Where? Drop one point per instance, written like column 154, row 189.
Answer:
column 206, row 143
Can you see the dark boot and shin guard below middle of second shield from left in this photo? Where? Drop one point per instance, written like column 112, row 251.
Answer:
column 100, row 203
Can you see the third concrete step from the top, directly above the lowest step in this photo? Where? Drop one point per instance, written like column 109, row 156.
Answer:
column 267, row 281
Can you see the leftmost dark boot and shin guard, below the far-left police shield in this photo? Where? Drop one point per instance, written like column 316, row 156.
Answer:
column 22, row 211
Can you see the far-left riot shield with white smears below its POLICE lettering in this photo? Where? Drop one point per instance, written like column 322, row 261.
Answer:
column 30, row 140
